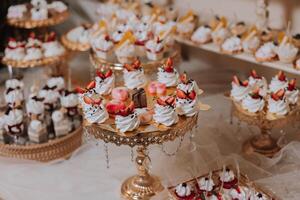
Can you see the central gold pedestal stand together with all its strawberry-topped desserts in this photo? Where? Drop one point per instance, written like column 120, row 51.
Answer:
column 139, row 113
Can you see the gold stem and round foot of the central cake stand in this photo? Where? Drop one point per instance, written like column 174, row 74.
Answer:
column 142, row 186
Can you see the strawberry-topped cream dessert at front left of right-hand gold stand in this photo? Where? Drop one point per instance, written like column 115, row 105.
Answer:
column 253, row 102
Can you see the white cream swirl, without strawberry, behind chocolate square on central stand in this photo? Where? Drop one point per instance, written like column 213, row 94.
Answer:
column 134, row 79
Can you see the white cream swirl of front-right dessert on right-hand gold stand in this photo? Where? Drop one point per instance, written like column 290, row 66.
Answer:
column 280, row 107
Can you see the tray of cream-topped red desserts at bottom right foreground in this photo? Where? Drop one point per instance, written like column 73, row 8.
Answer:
column 223, row 184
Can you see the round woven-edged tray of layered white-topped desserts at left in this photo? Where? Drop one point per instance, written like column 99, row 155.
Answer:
column 44, row 126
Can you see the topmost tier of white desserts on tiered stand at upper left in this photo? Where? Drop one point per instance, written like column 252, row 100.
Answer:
column 37, row 13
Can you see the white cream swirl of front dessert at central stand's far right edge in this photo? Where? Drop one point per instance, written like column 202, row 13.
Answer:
column 187, row 107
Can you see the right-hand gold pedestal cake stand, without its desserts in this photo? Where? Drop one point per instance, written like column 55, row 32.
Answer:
column 264, row 143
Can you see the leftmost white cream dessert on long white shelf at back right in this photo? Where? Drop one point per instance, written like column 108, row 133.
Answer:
column 202, row 35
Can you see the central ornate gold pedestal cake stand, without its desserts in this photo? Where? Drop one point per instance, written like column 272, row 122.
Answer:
column 143, row 185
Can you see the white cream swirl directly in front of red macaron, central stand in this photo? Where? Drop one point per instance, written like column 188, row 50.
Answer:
column 128, row 123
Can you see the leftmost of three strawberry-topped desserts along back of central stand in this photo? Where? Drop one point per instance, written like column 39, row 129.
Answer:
column 105, row 81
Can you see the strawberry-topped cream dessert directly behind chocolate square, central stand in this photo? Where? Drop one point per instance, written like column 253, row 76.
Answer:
column 133, row 75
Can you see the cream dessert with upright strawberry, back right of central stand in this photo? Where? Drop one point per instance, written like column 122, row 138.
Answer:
column 167, row 74
